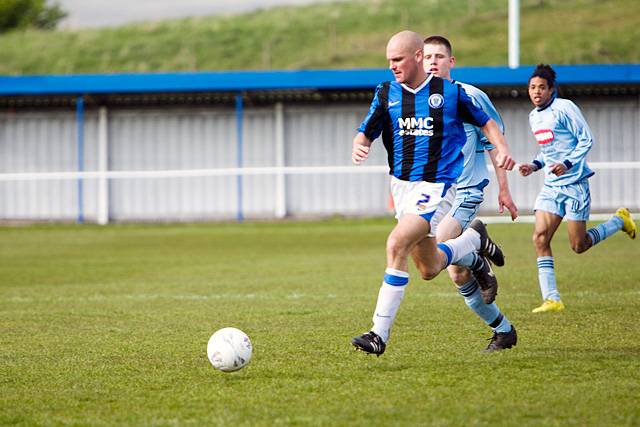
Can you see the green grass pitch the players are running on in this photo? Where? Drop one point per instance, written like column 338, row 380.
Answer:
column 108, row 326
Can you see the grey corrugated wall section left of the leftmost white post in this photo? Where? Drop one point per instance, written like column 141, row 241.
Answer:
column 44, row 142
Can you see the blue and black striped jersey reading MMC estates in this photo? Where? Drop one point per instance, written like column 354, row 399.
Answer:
column 422, row 129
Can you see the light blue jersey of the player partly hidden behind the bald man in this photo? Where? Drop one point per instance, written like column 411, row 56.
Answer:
column 475, row 170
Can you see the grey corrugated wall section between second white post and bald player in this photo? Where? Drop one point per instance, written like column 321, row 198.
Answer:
column 322, row 137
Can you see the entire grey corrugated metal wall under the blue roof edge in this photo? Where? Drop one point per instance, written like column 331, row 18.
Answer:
column 314, row 135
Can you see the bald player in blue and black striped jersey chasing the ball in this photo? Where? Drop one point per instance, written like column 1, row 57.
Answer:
column 421, row 119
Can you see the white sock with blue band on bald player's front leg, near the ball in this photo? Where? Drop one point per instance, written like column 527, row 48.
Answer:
column 389, row 298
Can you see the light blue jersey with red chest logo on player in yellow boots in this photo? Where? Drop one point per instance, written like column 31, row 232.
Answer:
column 563, row 136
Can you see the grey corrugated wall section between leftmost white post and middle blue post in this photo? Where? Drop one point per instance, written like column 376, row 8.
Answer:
column 171, row 140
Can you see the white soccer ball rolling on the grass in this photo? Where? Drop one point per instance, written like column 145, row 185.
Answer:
column 229, row 349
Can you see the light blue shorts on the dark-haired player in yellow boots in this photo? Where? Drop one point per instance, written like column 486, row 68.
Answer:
column 571, row 201
